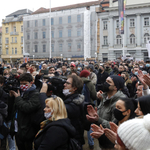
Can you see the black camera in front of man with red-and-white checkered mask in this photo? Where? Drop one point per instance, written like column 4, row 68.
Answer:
column 11, row 83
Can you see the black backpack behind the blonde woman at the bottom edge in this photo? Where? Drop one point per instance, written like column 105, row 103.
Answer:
column 73, row 144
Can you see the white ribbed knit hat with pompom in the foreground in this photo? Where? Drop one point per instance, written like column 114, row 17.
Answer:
column 135, row 133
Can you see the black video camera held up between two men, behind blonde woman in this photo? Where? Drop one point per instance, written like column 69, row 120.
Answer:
column 55, row 84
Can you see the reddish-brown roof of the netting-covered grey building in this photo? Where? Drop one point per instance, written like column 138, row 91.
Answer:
column 44, row 10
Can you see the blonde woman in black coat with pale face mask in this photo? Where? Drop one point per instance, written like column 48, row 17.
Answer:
column 57, row 129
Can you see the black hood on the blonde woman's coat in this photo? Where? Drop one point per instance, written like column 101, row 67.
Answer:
column 64, row 123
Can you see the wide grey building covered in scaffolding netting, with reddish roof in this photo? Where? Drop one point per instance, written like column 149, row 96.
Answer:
column 69, row 32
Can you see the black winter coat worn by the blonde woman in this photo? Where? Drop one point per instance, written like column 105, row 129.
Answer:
column 55, row 136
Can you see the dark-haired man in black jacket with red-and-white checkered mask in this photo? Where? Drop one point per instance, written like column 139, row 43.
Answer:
column 25, row 121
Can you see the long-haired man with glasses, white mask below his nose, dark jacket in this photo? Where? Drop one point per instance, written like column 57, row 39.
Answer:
column 74, row 101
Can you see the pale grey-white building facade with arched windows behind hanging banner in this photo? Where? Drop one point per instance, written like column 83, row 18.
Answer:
column 137, row 31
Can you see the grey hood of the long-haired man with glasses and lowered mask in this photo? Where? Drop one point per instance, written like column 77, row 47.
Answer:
column 75, row 98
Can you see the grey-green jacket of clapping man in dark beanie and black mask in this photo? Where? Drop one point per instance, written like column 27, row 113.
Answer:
column 106, row 107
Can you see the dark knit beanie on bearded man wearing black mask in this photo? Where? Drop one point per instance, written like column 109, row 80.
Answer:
column 118, row 81
